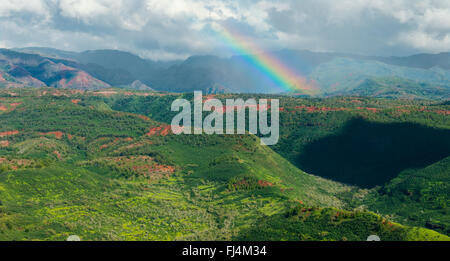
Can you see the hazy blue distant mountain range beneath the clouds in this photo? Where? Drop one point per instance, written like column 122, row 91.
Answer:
column 417, row 76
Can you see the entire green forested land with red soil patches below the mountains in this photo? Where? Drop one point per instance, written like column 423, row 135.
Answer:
column 105, row 166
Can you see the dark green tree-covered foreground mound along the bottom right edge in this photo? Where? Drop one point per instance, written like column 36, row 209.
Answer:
column 330, row 224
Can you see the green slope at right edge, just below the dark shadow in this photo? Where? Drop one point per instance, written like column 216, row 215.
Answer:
column 417, row 197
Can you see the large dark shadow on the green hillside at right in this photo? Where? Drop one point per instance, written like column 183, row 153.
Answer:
column 368, row 154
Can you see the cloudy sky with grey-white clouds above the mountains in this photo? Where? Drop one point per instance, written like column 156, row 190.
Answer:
column 175, row 29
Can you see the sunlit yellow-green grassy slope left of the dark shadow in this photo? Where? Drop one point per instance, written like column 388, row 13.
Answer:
column 75, row 194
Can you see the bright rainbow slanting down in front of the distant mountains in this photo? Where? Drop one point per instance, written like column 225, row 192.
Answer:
column 268, row 64
